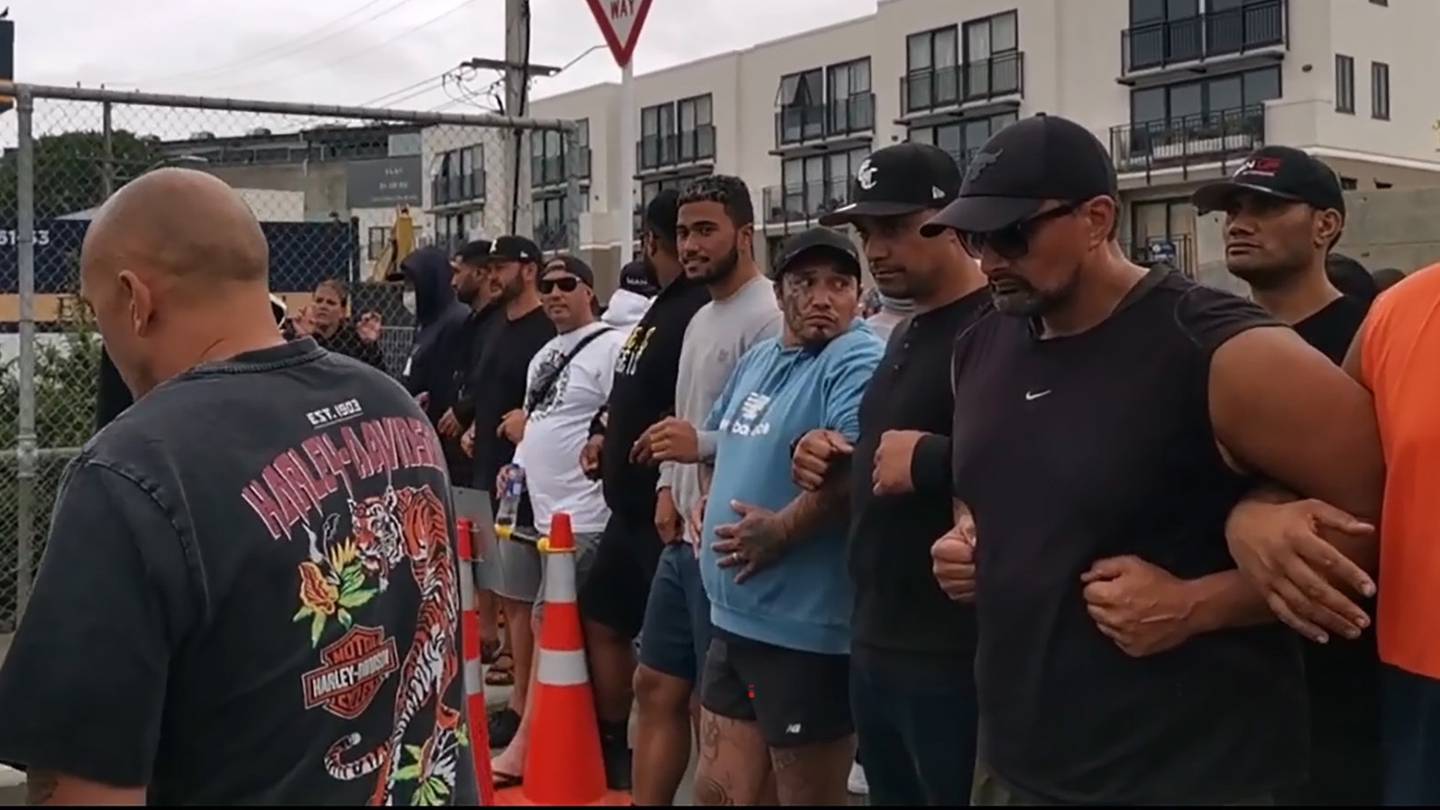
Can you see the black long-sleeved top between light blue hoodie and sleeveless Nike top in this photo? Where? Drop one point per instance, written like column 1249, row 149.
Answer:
column 899, row 606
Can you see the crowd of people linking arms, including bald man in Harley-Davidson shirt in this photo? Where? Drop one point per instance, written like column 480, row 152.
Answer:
column 1022, row 524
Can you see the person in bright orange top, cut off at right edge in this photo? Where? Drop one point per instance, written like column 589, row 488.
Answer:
column 1393, row 358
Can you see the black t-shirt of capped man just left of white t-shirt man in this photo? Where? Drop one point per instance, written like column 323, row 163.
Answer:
column 505, row 362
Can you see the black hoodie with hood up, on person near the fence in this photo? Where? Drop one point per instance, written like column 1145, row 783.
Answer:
column 436, row 354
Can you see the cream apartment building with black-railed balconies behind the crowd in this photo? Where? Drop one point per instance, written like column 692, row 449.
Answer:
column 1180, row 90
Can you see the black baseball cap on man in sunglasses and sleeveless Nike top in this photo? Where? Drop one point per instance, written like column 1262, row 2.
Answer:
column 1040, row 159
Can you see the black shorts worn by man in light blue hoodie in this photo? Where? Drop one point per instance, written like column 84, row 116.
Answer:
column 796, row 698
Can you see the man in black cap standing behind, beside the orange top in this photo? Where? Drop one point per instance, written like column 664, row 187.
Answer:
column 1284, row 213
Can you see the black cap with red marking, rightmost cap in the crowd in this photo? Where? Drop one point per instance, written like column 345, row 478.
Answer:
column 1278, row 172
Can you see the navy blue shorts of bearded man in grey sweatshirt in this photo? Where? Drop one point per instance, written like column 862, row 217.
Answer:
column 678, row 618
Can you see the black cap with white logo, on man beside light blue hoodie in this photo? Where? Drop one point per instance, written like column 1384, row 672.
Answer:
column 898, row 181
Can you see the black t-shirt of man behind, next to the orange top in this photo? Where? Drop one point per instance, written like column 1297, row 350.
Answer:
column 1343, row 678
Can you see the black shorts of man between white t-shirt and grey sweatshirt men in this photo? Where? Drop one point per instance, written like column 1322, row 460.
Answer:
column 620, row 583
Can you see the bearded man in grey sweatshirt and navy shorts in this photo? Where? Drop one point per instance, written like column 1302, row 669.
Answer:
column 716, row 233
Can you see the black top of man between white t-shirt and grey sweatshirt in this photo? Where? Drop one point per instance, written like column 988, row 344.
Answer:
column 643, row 394
